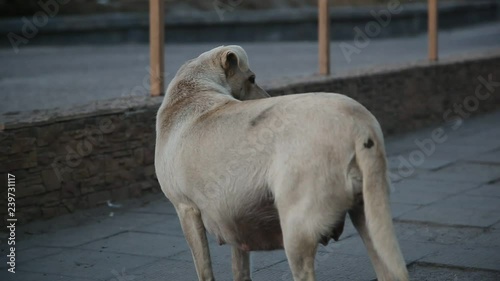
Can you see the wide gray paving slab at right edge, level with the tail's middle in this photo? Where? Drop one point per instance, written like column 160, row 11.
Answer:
column 456, row 216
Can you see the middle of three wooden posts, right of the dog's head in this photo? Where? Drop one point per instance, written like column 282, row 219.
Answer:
column 324, row 37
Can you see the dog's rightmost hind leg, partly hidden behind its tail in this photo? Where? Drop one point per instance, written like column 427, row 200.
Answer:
column 357, row 216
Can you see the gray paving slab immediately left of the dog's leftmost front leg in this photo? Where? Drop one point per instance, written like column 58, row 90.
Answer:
column 137, row 243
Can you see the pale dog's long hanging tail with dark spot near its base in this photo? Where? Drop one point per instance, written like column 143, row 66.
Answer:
column 370, row 156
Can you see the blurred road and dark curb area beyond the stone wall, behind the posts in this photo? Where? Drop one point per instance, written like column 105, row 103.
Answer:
column 66, row 53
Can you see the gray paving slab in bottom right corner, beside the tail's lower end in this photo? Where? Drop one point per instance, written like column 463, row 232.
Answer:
column 468, row 257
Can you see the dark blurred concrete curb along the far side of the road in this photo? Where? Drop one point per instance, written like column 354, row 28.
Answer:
column 239, row 25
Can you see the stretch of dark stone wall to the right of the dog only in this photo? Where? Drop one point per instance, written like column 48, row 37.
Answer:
column 411, row 97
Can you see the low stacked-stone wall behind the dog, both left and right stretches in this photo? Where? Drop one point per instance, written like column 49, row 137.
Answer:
column 85, row 156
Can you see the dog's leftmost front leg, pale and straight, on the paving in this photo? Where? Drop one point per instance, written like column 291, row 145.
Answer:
column 196, row 236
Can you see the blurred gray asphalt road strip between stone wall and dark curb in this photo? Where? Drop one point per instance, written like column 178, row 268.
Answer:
column 61, row 76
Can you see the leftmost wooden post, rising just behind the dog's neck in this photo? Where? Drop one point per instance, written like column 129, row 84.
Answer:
column 156, row 46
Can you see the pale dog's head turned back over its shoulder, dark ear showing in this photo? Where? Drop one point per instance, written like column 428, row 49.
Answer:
column 237, row 74
